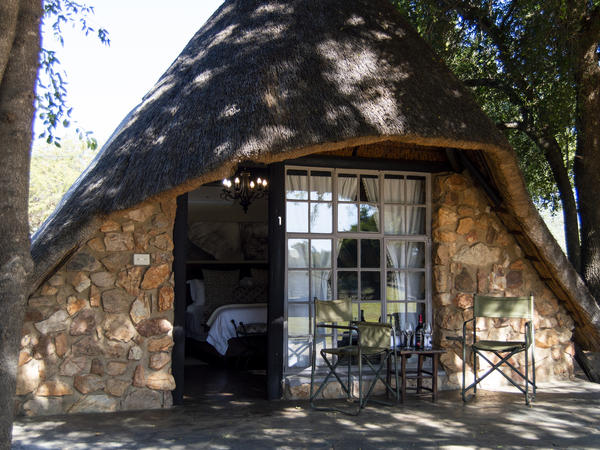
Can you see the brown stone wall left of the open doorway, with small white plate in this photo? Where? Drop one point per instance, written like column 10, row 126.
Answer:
column 97, row 333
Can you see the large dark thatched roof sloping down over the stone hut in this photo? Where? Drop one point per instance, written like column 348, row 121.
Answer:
column 268, row 80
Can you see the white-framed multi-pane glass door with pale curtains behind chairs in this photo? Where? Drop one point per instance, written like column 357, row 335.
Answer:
column 363, row 235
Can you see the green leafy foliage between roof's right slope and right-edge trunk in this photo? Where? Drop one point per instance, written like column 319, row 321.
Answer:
column 516, row 55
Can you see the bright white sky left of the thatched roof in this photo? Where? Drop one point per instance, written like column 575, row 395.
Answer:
column 106, row 82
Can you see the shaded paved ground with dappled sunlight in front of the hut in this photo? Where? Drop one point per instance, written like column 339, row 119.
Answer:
column 563, row 415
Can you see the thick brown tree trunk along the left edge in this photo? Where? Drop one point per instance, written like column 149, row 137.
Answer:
column 19, row 49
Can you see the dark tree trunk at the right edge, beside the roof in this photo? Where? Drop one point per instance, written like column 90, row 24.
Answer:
column 587, row 157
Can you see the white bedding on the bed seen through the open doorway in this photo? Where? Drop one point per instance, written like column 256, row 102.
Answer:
column 221, row 328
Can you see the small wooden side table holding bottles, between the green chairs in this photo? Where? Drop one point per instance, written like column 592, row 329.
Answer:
column 420, row 374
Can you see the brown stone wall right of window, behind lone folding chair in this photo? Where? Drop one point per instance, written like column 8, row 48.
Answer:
column 474, row 253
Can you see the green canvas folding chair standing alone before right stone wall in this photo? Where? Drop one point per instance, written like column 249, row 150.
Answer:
column 500, row 307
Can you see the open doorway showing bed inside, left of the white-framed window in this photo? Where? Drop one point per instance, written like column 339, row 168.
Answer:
column 226, row 277
